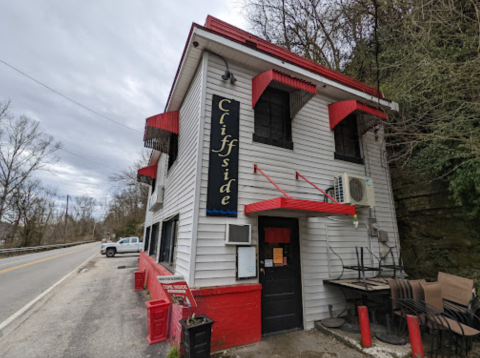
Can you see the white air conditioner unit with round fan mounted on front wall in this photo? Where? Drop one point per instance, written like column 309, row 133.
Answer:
column 354, row 190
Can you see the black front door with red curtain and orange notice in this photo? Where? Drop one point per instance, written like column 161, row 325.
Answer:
column 279, row 254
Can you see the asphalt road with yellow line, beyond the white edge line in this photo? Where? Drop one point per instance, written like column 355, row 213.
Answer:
column 23, row 278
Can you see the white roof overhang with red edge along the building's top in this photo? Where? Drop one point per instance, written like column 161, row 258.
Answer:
column 236, row 50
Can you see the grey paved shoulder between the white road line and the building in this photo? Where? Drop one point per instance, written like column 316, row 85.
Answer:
column 94, row 313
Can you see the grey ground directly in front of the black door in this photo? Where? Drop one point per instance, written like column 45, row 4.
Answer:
column 298, row 344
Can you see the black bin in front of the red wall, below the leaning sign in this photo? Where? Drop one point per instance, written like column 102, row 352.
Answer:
column 196, row 338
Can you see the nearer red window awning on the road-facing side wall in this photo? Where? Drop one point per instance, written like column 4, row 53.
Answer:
column 158, row 130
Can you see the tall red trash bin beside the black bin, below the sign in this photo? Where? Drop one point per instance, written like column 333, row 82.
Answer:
column 157, row 317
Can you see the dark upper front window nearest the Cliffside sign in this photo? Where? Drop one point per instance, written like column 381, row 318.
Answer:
column 273, row 124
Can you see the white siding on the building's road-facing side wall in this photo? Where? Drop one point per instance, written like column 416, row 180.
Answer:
column 179, row 181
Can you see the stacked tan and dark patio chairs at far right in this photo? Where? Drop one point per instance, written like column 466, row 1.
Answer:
column 445, row 308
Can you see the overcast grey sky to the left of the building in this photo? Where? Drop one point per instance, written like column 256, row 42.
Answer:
column 117, row 57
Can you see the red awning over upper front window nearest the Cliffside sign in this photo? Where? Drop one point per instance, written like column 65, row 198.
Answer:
column 300, row 91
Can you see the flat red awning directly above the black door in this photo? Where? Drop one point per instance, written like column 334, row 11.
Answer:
column 310, row 207
